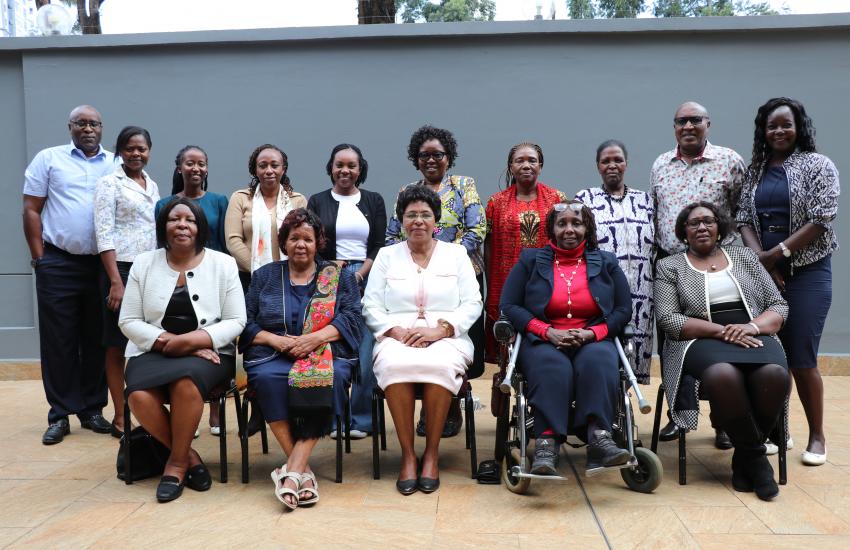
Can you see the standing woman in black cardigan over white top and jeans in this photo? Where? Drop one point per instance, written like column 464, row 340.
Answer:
column 355, row 222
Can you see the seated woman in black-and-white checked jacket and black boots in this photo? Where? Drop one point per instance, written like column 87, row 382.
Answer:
column 721, row 311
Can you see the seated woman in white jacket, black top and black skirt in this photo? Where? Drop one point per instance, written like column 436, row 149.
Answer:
column 183, row 307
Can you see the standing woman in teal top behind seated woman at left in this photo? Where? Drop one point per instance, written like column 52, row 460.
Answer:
column 190, row 180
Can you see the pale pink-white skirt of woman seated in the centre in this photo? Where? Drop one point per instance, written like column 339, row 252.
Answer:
column 440, row 363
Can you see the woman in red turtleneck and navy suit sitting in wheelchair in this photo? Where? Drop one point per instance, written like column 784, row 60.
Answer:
column 570, row 299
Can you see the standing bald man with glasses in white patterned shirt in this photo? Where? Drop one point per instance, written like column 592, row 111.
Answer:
column 695, row 170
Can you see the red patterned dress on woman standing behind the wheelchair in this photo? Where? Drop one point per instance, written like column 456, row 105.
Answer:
column 512, row 225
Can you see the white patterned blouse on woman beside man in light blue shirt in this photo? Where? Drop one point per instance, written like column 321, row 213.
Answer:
column 124, row 215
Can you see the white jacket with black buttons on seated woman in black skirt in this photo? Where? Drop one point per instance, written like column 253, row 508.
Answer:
column 213, row 286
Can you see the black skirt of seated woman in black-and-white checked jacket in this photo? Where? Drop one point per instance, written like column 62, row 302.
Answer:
column 705, row 352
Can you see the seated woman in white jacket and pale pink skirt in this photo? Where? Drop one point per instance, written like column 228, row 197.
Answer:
column 421, row 299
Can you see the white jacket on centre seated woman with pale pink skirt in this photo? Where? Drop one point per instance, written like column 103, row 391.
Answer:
column 450, row 292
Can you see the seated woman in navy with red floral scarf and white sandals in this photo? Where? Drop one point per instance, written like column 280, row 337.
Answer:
column 300, row 342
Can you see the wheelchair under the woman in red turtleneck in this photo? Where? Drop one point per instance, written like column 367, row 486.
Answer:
column 515, row 424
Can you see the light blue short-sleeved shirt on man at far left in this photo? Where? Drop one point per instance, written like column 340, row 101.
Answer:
column 67, row 178
